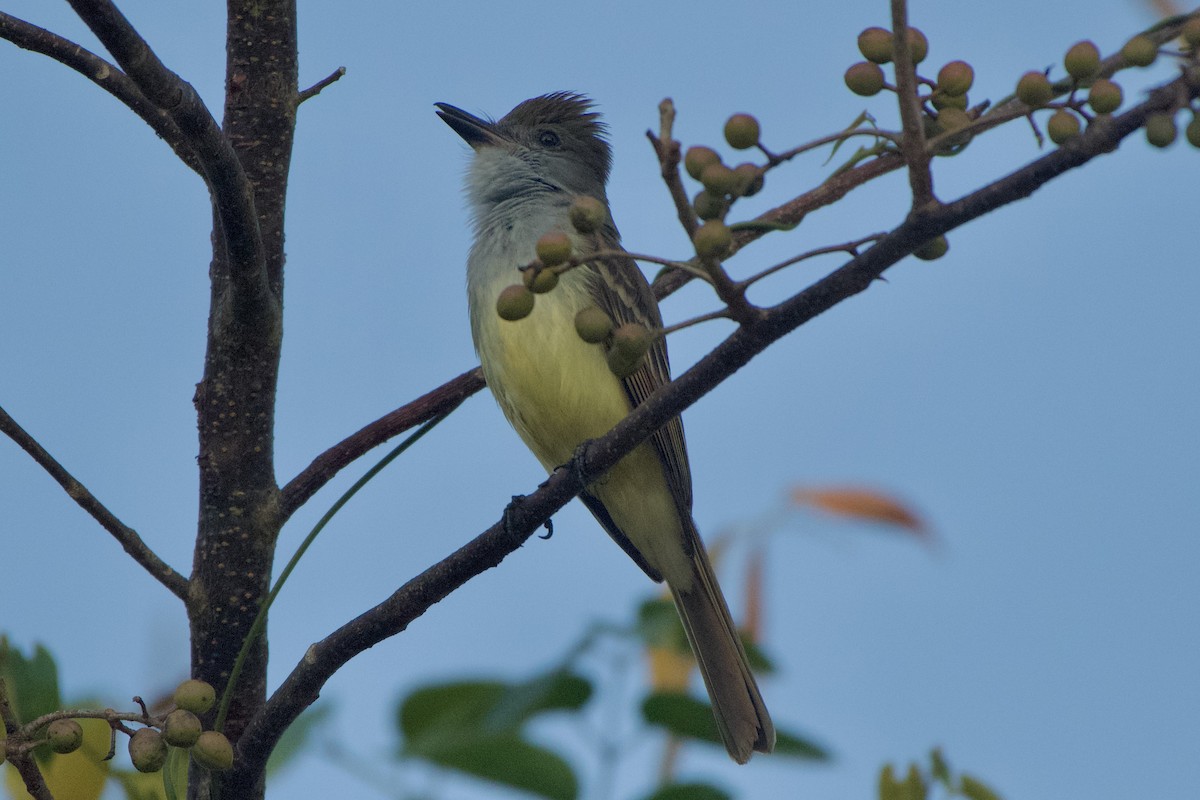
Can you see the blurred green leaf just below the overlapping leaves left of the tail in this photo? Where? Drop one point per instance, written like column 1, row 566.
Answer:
column 513, row 762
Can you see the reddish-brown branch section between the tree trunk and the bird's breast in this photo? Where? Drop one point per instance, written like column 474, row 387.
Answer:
column 326, row 466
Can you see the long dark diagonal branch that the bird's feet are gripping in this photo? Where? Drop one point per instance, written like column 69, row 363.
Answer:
column 304, row 684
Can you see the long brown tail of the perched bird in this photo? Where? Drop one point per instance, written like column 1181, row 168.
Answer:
column 741, row 714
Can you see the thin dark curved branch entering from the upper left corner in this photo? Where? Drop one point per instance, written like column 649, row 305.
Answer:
column 103, row 74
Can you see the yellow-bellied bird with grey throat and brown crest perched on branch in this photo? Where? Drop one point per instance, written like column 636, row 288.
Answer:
column 559, row 392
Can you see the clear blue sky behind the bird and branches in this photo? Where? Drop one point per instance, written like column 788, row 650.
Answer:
column 1033, row 394
